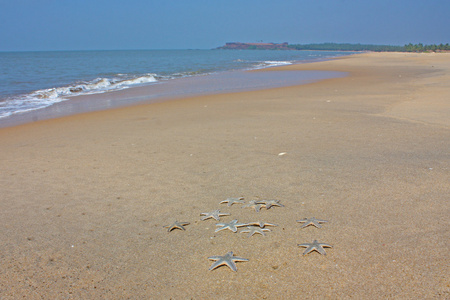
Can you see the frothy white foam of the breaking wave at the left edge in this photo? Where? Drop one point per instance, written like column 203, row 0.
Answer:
column 46, row 97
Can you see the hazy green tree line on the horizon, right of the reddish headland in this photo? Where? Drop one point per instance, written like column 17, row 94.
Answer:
column 376, row 48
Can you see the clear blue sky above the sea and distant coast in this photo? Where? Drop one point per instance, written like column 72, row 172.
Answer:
column 39, row 25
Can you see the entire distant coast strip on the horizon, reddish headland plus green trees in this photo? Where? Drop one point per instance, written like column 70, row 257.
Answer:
column 336, row 47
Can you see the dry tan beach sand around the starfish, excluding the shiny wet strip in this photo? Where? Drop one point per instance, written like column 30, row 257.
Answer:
column 84, row 198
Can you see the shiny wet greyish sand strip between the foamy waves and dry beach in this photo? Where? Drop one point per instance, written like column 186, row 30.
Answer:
column 218, row 83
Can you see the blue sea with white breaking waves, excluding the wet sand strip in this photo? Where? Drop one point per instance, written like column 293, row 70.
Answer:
column 36, row 80
